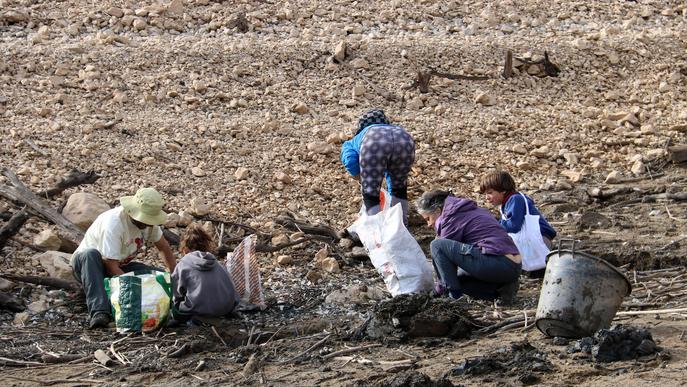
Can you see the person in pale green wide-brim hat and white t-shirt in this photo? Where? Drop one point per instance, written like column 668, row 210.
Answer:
column 113, row 241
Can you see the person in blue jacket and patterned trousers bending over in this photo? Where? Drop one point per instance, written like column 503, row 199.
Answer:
column 380, row 150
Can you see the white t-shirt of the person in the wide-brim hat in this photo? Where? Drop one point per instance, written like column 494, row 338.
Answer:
column 116, row 237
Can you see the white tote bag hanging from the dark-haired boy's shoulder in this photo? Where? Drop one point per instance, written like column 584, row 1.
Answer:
column 529, row 241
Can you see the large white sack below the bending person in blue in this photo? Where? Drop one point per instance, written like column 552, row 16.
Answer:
column 394, row 252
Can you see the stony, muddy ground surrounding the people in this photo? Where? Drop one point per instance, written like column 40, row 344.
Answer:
column 180, row 96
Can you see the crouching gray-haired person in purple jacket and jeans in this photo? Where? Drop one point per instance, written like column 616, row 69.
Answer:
column 472, row 254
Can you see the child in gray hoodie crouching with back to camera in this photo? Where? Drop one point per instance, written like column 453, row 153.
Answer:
column 201, row 285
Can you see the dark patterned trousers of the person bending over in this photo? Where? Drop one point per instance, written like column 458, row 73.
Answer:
column 390, row 149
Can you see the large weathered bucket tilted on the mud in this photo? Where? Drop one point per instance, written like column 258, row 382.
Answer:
column 580, row 294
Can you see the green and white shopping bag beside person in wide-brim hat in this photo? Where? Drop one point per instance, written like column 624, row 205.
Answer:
column 140, row 300
